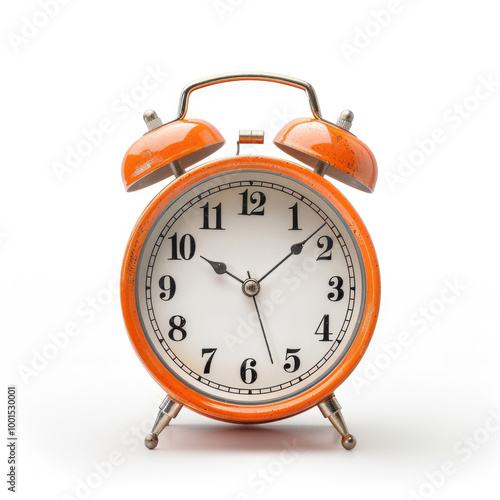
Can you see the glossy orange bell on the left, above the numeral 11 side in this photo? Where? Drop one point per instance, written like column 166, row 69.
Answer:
column 184, row 142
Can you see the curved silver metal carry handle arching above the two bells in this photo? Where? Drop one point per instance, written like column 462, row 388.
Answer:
column 264, row 77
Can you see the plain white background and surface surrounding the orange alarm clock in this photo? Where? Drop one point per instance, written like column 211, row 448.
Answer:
column 416, row 407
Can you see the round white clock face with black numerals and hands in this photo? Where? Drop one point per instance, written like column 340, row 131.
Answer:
column 250, row 288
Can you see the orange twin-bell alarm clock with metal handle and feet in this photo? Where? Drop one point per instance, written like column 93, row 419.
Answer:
column 250, row 286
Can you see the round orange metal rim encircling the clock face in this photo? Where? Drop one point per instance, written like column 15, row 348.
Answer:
column 202, row 403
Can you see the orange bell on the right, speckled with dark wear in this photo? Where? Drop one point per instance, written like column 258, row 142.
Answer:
column 313, row 141
